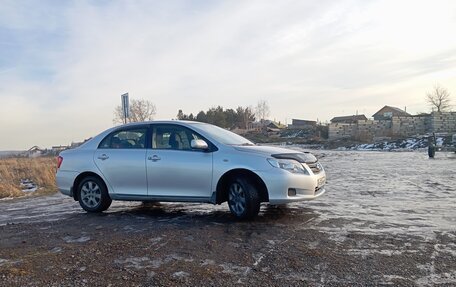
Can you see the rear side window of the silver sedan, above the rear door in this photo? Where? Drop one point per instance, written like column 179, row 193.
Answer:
column 125, row 139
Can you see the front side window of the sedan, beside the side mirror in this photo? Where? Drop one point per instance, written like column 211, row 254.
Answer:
column 172, row 137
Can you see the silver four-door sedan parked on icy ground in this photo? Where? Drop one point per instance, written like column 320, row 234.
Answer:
column 186, row 162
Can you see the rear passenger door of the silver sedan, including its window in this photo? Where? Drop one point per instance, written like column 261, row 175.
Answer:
column 121, row 158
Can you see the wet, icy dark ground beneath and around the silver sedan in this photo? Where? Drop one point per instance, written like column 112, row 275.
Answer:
column 386, row 219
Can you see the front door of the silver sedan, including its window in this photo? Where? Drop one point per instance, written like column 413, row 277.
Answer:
column 174, row 169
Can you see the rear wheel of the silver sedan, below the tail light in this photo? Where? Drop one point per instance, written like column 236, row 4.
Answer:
column 93, row 195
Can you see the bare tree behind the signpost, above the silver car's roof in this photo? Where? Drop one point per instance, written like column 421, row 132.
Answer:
column 140, row 110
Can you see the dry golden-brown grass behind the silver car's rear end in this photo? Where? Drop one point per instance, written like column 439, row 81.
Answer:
column 40, row 170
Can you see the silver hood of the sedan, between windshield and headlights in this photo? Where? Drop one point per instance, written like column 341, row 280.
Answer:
column 280, row 153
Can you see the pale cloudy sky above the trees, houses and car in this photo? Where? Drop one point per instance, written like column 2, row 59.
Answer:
column 64, row 64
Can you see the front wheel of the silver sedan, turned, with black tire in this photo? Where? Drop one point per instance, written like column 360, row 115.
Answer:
column 243, row 198
